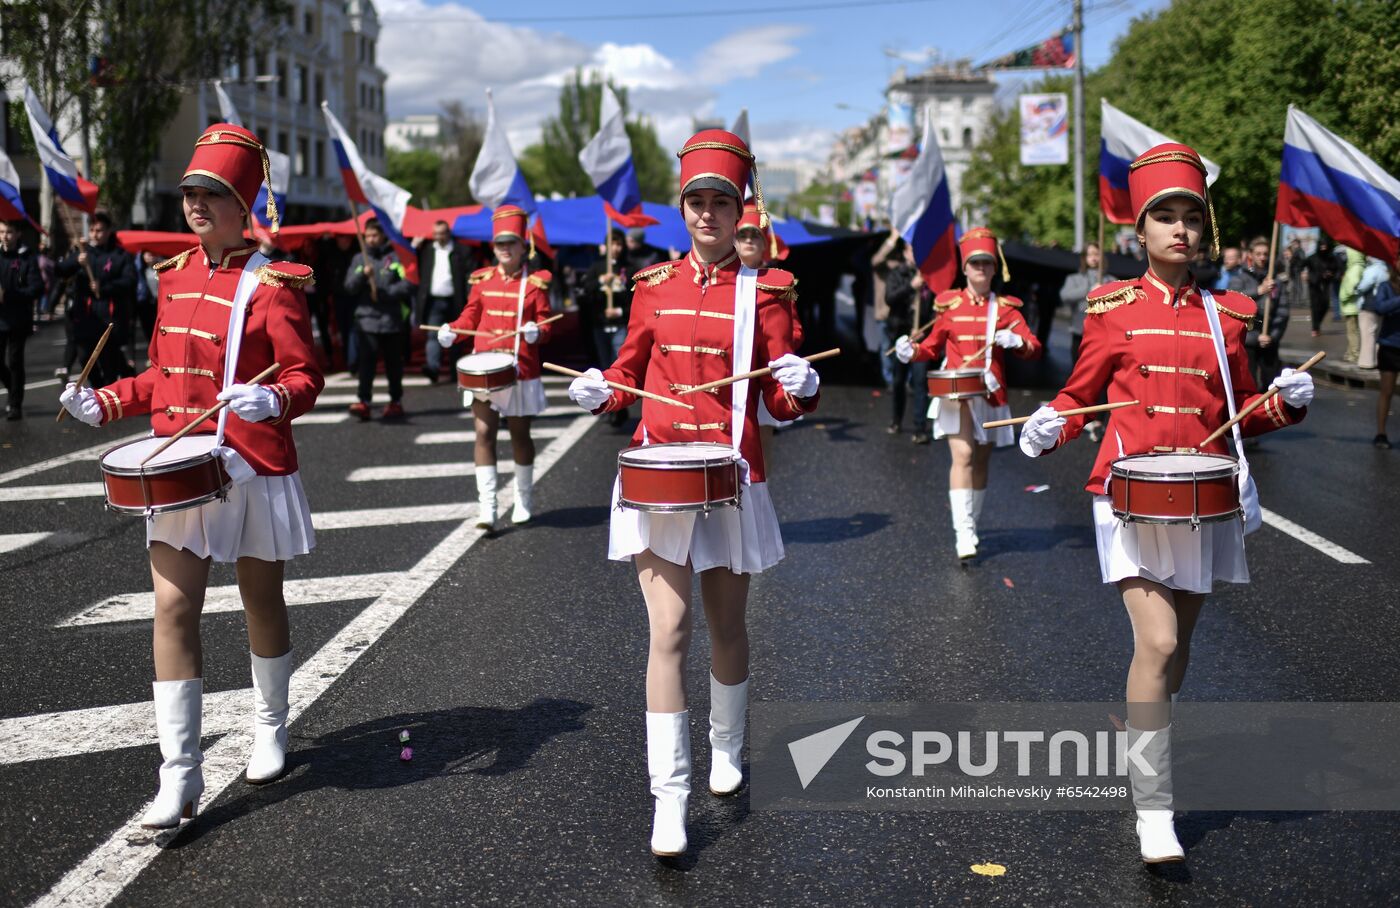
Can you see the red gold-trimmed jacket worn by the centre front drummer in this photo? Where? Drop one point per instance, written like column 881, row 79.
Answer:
column 681, row 335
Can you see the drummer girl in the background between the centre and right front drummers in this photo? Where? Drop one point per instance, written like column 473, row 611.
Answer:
column 974, row 329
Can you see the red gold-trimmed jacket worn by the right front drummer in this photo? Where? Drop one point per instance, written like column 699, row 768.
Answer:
column 1146, row 342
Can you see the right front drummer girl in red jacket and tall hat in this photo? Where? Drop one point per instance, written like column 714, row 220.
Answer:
column 1177, row 349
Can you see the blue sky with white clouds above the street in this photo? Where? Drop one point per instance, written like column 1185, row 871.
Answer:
column 790, row 62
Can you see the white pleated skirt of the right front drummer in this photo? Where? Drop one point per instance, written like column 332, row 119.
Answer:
column 1171, row 555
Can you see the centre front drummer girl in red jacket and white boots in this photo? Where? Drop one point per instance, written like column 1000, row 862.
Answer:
column 702, row 320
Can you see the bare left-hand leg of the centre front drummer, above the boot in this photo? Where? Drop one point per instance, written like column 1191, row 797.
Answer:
column 667, row 590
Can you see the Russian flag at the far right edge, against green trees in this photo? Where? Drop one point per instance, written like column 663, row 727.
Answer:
column 1328, row 183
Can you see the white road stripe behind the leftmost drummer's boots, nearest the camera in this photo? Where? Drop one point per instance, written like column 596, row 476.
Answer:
column 50, row 735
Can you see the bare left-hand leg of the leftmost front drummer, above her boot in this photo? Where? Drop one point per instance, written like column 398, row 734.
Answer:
column 180, row 577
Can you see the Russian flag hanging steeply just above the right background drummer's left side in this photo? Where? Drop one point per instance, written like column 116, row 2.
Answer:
column 922, row 212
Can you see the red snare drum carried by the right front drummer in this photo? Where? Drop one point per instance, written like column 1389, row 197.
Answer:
column 1175, row 489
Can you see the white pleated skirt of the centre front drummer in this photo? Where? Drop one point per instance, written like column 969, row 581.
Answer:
column 745, row 541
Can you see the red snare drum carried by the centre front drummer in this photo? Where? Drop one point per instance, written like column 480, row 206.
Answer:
column 678, row 476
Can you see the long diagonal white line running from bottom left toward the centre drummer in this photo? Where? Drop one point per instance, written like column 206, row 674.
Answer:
column 113, row 865
